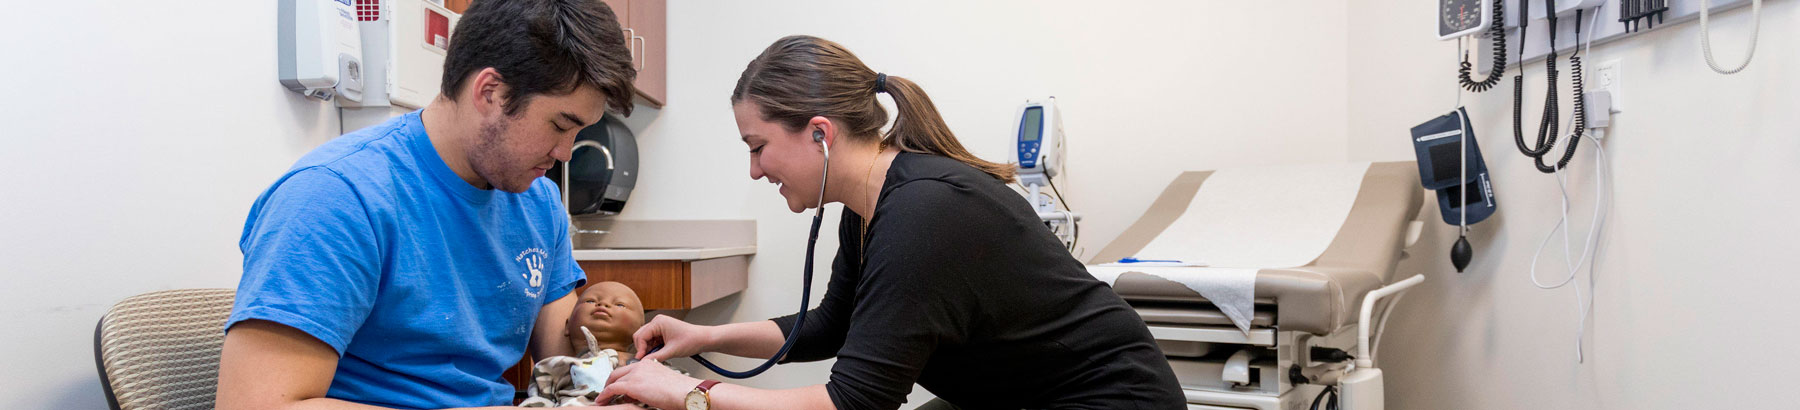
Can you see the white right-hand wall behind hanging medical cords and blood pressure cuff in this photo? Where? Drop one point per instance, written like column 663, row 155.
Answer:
column 1695, row 285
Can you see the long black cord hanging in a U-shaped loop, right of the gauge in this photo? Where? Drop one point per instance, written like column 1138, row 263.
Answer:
column 1547, row 129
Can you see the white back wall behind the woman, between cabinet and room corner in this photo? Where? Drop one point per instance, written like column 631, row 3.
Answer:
column 1147, row 89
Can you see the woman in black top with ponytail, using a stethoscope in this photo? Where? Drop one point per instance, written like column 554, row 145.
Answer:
column 944, row 276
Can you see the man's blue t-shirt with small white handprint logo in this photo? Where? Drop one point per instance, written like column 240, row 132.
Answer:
column 424, row 285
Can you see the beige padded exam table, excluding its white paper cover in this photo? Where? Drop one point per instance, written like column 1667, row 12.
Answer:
column 1284, row 355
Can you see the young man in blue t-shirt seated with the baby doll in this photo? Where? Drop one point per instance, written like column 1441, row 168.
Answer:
column 411, row 263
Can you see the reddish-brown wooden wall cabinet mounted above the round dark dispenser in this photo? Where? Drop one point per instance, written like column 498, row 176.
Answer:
column 645, row 26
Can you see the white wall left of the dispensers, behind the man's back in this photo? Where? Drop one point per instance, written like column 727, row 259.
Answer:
column 136, row 138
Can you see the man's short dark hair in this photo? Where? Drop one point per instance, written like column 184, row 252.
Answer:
column 543, row 48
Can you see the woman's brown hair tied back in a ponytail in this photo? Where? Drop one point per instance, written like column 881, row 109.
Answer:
column 802, row 76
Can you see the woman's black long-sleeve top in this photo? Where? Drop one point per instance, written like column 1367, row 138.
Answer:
column 967, row 294
